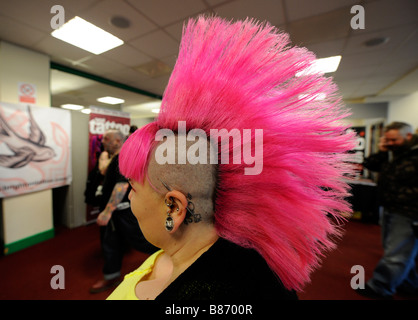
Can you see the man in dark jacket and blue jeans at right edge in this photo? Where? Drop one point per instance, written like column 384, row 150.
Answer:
column 397, row 164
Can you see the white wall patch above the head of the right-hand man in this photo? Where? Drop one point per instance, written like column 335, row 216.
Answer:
column 404, row 109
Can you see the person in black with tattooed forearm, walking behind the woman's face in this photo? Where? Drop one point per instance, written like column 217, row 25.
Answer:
column 119, row 227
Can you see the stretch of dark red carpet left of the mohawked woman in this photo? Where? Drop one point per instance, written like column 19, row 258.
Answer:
column 27, row 274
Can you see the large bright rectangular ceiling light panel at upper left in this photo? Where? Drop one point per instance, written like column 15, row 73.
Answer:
column 87, row 36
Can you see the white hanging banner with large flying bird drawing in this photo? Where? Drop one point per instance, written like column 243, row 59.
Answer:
column 35, row 144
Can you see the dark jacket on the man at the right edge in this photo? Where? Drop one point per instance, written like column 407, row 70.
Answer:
column 398, row 178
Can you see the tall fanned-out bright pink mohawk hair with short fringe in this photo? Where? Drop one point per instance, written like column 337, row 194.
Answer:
column 245, row 75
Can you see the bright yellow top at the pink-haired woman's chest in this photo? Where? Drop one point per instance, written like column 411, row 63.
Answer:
column 126, row 290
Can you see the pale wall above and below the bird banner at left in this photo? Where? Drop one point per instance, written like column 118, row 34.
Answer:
column 31, row 214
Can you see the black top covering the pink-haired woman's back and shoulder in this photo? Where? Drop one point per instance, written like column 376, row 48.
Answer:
column 229, row 272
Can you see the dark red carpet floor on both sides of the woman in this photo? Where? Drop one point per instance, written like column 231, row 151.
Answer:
column 26, row 274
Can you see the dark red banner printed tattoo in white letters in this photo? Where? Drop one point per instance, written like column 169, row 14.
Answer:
column 100, row 121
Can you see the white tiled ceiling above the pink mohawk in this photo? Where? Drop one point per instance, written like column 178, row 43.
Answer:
column 322, row 26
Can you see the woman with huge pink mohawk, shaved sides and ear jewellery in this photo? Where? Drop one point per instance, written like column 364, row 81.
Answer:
column 238, row 96
